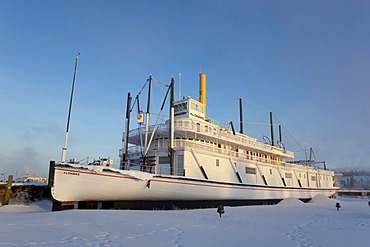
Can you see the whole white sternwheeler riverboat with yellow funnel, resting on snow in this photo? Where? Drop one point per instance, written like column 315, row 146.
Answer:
column 202, row 162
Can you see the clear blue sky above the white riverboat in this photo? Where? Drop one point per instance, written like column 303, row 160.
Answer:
column 306, row 61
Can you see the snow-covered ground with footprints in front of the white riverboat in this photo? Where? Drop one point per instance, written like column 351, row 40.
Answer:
column 290, row 223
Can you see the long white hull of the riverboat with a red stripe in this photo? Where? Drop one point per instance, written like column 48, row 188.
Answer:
column 132, row 188
